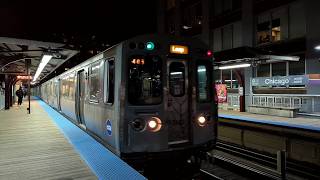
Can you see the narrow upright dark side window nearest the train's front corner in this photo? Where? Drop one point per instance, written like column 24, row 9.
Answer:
column 109, row 81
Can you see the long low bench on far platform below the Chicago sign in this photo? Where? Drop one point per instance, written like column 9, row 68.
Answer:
column 290, row 112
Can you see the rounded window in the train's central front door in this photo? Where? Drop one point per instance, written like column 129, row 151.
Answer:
column 177, row 79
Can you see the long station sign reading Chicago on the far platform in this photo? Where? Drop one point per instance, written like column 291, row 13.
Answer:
column 280, row 80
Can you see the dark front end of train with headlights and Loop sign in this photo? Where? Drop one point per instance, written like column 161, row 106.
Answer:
column 168, row 98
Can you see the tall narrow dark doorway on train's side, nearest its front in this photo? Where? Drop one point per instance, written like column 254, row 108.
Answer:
column 80, row 98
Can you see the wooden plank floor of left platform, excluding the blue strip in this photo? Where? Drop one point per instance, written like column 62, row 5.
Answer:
column 32, row 147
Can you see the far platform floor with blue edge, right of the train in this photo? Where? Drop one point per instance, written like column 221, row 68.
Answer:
column 301, row 122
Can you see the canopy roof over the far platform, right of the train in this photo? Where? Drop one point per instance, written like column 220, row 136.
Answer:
column 249, row 54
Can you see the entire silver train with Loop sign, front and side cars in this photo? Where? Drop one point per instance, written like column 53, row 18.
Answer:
column 147, row 96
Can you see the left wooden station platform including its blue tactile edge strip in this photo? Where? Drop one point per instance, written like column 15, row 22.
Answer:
column 45, row 145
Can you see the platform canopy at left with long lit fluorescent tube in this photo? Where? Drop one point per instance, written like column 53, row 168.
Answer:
column 14, row 52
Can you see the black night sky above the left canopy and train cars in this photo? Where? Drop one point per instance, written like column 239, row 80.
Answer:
column 48, row 20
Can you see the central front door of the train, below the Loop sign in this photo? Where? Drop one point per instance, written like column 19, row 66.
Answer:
column 178, row 102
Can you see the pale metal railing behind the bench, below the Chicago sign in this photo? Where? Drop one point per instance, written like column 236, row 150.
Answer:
column 309, row 104
